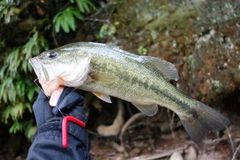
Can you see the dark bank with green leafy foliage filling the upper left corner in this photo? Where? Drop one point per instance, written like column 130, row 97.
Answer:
column 26, row 29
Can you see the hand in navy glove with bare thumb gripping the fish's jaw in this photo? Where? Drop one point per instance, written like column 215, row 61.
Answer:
column 63, row 101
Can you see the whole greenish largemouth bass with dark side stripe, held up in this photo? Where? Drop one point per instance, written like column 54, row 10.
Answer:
column 106, row 70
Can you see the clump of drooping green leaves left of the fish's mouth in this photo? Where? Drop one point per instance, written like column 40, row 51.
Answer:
column 17, row 91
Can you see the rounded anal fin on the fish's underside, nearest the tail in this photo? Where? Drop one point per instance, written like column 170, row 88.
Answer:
column 149, row 110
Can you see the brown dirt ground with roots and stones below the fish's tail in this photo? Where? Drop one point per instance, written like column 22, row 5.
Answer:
column 143, row 141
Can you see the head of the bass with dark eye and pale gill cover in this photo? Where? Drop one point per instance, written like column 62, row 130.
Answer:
column 64, row 66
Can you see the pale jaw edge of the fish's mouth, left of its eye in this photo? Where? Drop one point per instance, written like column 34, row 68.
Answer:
column 39, row 70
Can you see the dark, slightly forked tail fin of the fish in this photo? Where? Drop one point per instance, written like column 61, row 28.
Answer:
column 204, row 120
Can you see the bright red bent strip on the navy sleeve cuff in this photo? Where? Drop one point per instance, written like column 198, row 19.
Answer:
column 65, row 128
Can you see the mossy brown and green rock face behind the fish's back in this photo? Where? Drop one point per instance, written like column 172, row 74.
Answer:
column 205, row 49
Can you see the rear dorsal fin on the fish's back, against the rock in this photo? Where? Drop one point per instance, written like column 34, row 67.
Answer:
column 167, row 69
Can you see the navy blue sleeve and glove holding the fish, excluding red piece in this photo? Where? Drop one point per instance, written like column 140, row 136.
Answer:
column 47, row 141
